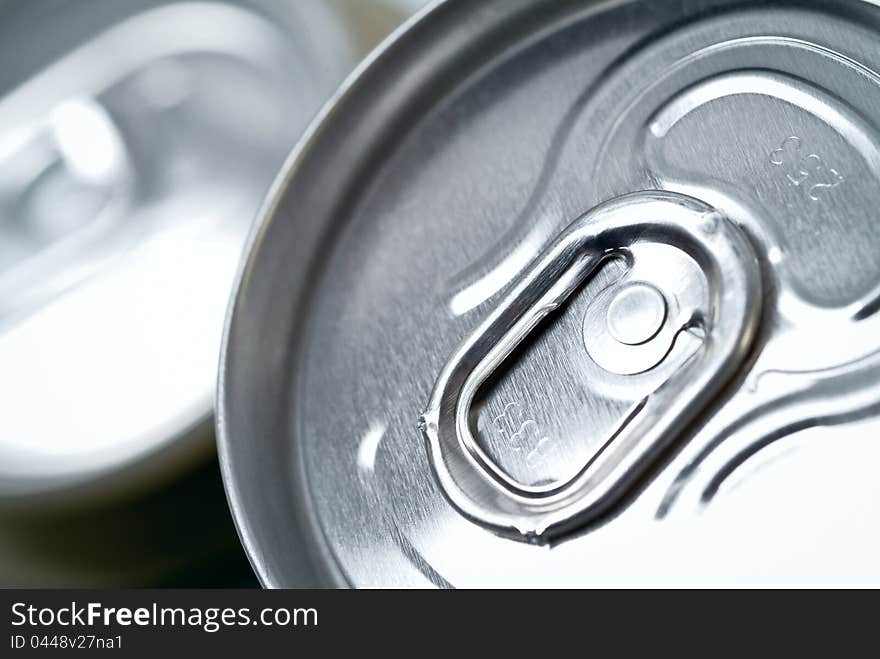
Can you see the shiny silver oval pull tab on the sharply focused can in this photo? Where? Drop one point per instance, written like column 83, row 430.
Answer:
column 484, row 492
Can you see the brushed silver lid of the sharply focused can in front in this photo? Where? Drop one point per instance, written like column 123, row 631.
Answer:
column 427, row 251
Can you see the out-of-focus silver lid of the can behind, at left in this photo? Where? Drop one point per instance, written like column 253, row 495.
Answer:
column 132, row 167
